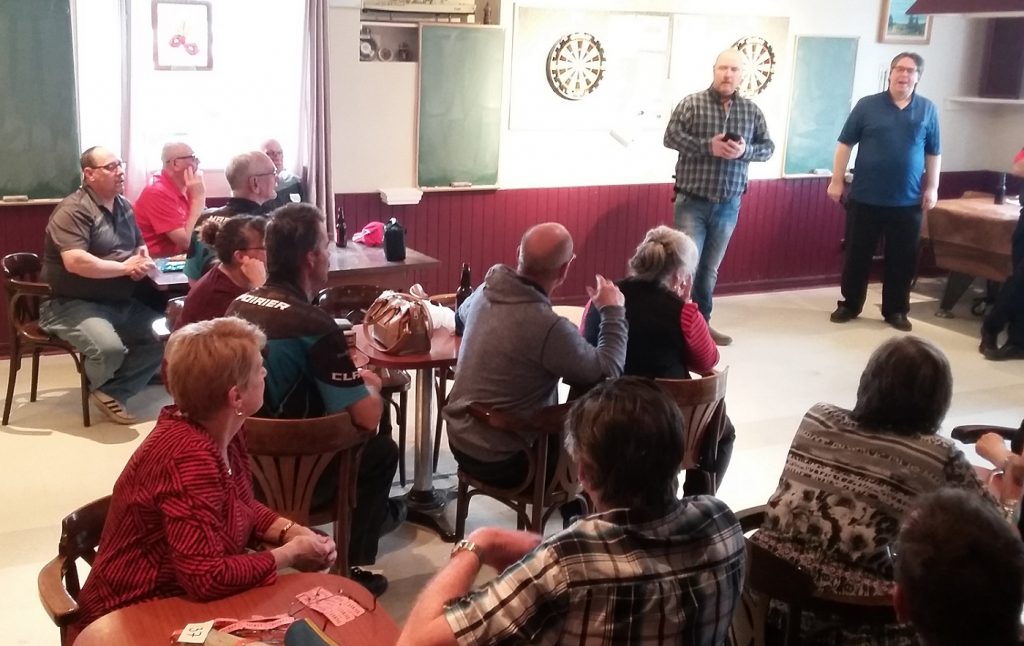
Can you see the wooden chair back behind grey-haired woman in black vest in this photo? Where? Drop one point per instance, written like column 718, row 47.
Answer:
column 703, row 405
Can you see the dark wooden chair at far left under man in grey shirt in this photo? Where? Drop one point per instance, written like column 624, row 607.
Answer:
column 24, row 292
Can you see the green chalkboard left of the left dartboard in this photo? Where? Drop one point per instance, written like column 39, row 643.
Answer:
column 460, row 105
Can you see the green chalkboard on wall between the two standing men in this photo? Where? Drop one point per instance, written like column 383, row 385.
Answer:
column 823, row 88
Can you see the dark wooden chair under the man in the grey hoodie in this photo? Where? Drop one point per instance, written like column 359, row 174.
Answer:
column 537, row 497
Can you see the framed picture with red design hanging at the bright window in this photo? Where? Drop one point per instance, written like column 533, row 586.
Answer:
column 183, row 35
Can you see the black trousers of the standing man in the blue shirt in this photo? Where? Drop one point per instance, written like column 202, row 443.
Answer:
column 902, row 229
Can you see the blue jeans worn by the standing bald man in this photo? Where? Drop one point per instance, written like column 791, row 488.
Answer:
column 710, row 225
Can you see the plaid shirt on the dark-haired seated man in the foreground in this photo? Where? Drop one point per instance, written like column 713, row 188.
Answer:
column 609, row 581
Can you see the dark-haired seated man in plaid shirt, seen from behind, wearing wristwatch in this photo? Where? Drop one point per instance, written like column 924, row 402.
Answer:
column 646, row 569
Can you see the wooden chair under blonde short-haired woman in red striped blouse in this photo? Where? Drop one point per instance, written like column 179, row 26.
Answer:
column 59, row 582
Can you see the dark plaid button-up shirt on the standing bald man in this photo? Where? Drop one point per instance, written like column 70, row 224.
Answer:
column 699, row 118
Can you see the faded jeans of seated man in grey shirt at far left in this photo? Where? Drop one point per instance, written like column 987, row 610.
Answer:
column 116, row 339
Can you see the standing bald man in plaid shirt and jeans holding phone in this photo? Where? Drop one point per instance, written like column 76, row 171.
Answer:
column 718, row 134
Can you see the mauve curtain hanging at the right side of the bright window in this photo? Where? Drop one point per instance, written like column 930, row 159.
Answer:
column 315, row 120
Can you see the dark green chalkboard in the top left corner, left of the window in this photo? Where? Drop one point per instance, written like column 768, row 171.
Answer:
column 38, row 114
